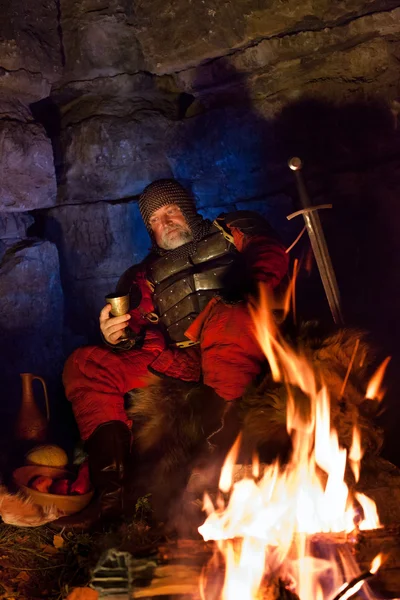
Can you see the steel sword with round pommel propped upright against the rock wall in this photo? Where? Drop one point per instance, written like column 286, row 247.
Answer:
column 318, row 242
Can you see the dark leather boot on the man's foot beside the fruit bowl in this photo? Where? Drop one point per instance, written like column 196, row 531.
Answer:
column 108, row 451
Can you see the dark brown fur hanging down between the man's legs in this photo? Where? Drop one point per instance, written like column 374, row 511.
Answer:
column 169, row 434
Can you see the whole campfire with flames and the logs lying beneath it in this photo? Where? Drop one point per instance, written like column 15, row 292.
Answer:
column 297, row 529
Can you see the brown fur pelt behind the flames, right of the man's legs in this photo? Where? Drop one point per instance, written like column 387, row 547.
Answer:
column 264, row 407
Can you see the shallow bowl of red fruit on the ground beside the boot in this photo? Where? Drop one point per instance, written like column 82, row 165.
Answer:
column 50, row 486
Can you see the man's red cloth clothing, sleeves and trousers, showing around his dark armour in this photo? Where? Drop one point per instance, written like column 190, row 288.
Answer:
column 227, row 356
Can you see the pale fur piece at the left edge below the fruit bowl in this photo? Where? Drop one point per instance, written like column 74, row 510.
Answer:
column 17, row 510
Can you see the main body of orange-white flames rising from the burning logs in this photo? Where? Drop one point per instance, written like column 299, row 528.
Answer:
column 272, row 517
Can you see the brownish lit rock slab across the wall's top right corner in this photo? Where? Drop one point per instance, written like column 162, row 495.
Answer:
column 358, row 58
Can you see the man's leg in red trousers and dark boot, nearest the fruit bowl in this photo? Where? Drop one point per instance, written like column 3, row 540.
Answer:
column 96, row 380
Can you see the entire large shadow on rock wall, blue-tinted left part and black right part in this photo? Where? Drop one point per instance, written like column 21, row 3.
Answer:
column 235, row 158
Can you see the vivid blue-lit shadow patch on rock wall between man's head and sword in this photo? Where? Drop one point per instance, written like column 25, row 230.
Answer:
column 225, row 151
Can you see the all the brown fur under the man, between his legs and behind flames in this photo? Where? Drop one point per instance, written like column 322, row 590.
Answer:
column 173, row 419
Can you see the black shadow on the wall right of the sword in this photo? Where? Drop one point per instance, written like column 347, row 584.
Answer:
column 351, row 154
